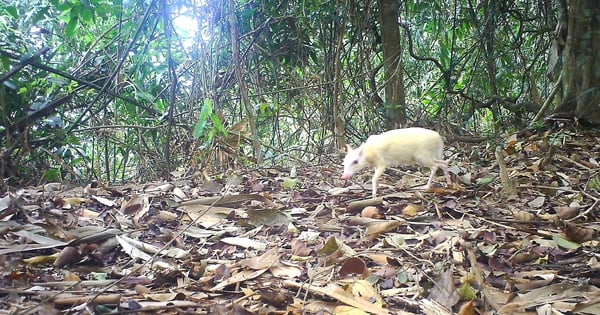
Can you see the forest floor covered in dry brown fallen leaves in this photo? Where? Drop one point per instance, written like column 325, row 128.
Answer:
column 515, row 237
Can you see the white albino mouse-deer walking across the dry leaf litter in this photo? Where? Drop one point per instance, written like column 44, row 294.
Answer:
column 398, row 147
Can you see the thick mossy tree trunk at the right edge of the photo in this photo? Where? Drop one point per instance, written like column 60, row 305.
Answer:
column 581, row 62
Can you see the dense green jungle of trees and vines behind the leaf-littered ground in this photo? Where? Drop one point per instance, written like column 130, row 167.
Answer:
column 114, row 91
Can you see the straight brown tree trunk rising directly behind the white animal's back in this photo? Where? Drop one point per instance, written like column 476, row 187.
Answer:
column 394, row 86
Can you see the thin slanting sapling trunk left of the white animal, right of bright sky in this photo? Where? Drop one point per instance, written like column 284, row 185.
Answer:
column 239, row 75
